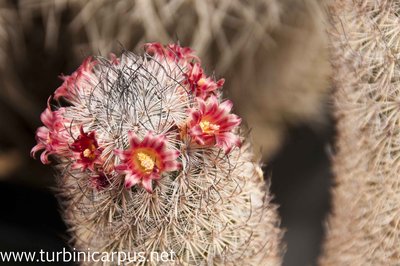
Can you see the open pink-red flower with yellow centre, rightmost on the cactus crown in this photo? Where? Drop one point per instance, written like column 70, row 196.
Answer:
column 212, row 124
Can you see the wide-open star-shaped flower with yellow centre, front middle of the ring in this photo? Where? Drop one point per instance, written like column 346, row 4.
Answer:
column 146, row 160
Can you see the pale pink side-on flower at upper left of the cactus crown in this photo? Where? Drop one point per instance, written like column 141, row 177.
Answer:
column 76, row 81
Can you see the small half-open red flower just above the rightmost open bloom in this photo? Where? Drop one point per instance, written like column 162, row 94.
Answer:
column 199, row 84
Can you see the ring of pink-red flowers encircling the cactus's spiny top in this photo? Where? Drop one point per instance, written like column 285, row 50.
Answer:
column 208, row 123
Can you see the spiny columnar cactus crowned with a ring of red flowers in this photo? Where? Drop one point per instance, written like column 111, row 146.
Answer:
column 152, row 159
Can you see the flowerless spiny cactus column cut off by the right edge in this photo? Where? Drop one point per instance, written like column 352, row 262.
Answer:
column 363, row 228
